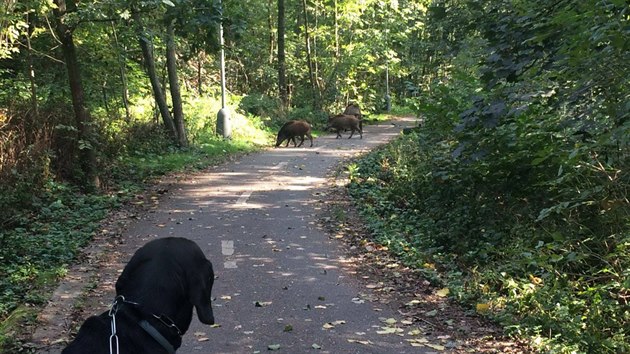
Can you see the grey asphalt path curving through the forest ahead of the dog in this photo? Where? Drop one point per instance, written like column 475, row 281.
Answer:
column 282, row 283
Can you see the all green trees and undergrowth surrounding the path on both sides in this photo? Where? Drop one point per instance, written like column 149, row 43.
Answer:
column 516, row 185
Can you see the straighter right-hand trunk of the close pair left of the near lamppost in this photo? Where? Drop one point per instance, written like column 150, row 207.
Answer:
column 173, row 82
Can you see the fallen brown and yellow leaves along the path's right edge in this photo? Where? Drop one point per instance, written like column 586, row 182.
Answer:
column 430, row 318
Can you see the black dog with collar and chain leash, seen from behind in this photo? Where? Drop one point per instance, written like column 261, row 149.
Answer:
column 153, row 308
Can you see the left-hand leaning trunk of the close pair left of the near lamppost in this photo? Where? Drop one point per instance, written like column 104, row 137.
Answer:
column 158, row 93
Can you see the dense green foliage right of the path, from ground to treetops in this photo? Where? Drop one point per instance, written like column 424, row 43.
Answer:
column 517, row 183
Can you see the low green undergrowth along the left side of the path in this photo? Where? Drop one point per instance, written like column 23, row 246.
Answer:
column 45, row 220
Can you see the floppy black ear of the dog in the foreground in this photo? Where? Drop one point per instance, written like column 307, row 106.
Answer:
column 201, row 292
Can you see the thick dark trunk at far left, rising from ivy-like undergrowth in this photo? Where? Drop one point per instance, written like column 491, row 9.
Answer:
column 87, row 153
